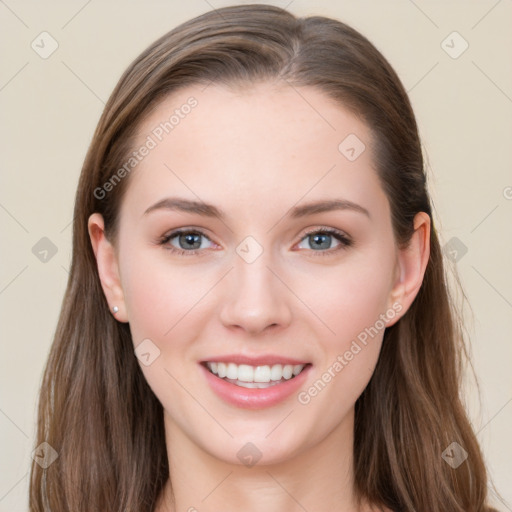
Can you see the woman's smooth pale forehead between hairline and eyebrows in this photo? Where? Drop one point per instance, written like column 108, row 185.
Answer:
column 246, row 147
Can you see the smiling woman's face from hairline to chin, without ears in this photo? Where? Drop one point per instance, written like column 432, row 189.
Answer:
column 260, row 280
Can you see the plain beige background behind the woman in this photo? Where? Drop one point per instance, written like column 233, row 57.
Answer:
column 50, row 108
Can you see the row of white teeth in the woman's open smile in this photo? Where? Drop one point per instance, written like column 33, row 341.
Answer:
column 245, row 373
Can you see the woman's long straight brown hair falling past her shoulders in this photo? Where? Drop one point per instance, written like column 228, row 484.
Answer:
column 96, row 409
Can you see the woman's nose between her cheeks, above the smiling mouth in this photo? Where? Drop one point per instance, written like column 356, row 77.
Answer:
column 255, row 299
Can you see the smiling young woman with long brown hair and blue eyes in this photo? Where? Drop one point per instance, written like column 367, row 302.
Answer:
column 256, row 316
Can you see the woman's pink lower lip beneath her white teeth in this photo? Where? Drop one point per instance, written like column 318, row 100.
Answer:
column 254, row 398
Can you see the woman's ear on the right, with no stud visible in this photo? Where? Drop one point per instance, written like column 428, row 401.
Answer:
column 410, row 269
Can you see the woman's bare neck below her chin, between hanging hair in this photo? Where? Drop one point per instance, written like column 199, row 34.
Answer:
column 320, row 477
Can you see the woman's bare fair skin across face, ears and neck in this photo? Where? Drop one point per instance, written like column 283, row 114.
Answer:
column 255, row 154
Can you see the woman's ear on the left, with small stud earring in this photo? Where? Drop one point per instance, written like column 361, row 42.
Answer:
column 108, row 269
